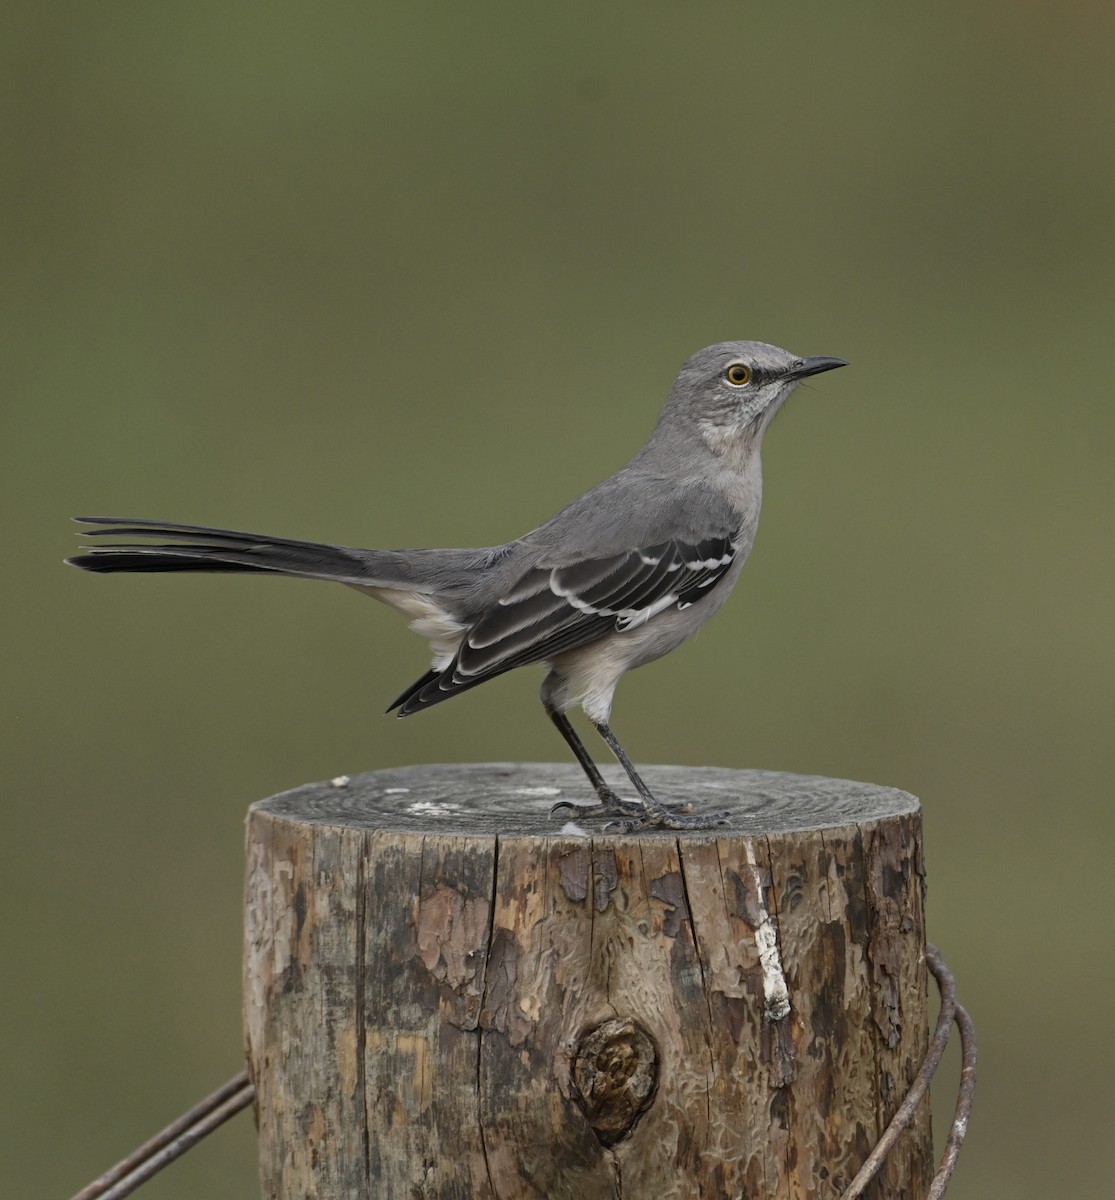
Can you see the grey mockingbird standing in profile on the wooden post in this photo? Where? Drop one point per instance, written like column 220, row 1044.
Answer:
column 618, row 579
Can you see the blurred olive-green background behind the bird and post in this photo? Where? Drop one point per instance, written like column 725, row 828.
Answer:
column 417, row 274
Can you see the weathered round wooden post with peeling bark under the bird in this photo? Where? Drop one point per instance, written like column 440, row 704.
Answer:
column 449, row 997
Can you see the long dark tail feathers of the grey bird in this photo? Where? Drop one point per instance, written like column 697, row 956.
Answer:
column 201, row 549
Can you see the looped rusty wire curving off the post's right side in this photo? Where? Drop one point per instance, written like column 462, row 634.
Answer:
column 951, row 1013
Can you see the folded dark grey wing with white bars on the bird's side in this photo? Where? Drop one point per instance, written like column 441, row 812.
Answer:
column 551, row 610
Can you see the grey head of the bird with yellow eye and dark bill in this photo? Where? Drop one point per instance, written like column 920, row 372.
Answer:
column 729, row 394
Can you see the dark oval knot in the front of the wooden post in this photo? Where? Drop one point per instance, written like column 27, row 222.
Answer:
column 616, row 1072
